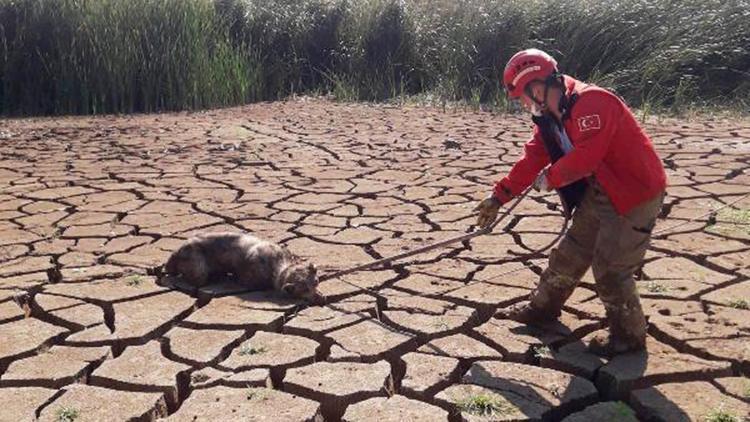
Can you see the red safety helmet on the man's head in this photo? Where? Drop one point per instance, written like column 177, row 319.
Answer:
column 526, row 66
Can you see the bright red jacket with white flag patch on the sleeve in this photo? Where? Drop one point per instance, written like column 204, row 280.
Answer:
column 607, row 143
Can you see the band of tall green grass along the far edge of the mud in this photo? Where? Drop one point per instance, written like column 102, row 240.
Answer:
column 103, row 56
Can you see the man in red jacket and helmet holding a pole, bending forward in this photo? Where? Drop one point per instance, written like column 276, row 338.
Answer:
column 603, row 164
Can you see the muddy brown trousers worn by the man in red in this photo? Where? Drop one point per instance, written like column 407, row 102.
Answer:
column 613, row 246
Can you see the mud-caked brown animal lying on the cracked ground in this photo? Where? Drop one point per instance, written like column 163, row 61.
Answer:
column 252, row 261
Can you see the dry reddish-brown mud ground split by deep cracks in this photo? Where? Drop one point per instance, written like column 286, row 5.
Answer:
column 89, row 206
